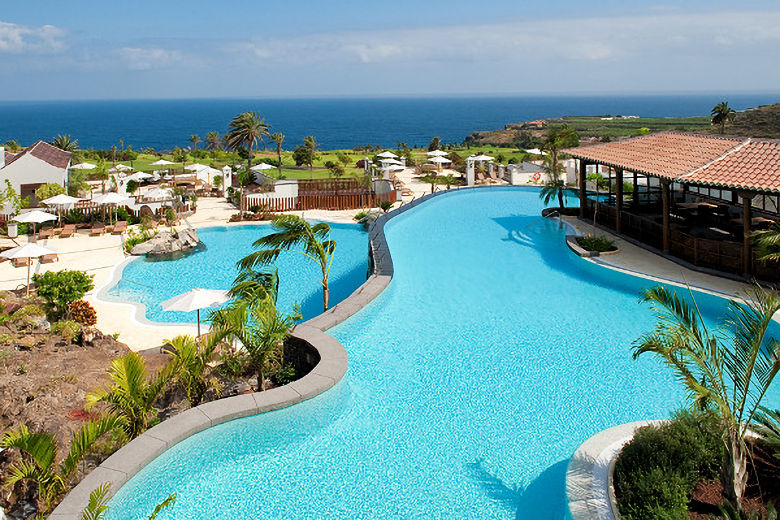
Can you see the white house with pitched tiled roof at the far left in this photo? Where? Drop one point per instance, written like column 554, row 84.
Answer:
column 39, row 164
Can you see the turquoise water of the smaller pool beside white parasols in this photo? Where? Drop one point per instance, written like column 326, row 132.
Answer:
column 149, row 282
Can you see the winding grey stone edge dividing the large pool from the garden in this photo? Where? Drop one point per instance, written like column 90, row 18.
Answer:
column 131, row 458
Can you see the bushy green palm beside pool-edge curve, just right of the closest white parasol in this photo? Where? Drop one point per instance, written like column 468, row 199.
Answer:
column 259, row 327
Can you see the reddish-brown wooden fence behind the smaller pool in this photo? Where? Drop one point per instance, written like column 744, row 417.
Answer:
column 340, row 201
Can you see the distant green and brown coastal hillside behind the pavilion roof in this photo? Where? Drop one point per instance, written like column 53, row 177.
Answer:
column 763, row 121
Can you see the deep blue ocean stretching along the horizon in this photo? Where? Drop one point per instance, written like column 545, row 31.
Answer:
column 335, row 123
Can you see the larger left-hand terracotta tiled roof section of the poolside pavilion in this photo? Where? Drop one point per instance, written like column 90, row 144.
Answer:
column 667, row 154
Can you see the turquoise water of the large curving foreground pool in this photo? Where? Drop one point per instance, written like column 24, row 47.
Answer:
column 491, row 356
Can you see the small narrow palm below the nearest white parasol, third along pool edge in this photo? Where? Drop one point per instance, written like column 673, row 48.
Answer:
column 191, row 358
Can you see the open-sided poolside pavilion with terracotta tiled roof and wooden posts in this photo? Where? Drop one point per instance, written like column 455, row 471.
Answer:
column 738, row 170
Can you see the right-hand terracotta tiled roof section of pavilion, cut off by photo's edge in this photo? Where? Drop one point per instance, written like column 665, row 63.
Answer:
column 754, row 165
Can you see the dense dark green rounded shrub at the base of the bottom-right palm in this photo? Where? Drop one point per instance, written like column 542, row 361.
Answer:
column 657, row 471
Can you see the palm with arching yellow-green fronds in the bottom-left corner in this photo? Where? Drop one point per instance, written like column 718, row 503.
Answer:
column 39, row 465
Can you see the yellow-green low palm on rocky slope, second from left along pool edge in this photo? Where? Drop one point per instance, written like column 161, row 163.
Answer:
column 133, row 393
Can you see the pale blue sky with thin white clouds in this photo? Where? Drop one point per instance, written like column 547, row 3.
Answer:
column 98, row 49
